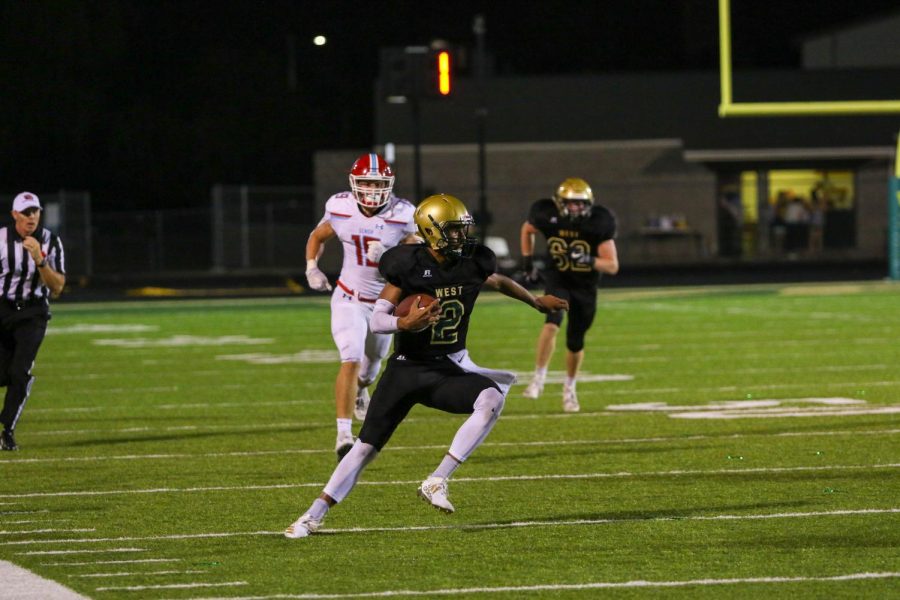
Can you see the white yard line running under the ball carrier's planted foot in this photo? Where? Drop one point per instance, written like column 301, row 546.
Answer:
column 486, row 526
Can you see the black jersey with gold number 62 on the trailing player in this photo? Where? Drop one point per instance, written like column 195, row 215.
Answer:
column 572, row 245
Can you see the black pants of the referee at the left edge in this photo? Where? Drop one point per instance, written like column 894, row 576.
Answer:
column 19, row 344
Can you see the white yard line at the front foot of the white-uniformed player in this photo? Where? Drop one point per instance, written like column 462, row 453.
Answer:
column 540, row 444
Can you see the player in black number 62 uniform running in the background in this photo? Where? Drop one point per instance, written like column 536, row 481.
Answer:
column 581, row 243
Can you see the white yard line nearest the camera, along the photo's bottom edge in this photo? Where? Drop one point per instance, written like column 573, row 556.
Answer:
column 561, row 587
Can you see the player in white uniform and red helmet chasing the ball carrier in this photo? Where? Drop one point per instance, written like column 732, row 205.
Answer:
column 367, row 220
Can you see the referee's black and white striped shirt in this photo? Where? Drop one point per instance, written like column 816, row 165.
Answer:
column 19, row 275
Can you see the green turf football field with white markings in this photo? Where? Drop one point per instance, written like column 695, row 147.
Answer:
column 733, row 442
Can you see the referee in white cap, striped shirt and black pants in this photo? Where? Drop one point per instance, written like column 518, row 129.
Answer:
column 32, row 268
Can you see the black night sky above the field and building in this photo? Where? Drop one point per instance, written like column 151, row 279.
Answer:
column 148, row 103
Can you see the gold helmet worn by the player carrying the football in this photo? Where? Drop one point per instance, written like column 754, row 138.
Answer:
column 443, row 223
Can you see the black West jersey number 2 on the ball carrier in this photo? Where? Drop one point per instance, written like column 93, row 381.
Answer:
column 413, row 269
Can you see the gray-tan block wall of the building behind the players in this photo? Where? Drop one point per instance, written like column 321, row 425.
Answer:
column 635, row 179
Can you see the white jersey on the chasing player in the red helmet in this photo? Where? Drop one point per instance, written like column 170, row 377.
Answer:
column 355, row 230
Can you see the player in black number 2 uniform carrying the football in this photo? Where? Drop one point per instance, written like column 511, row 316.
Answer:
column 430, row 364
